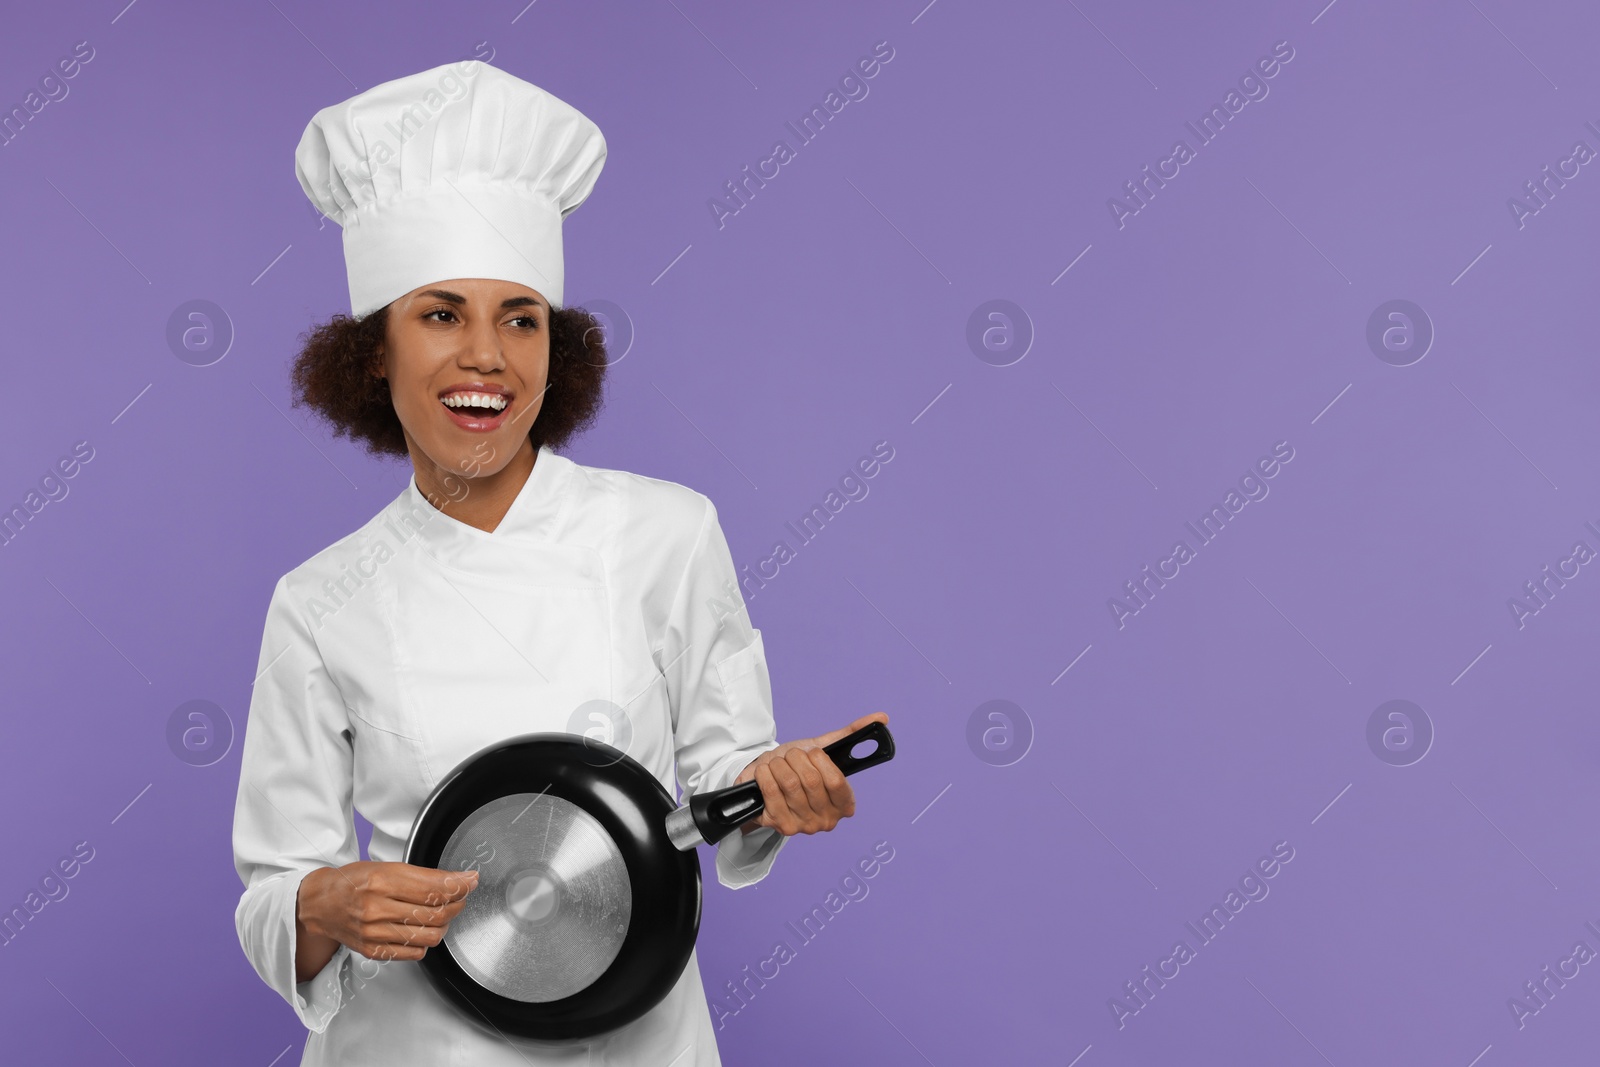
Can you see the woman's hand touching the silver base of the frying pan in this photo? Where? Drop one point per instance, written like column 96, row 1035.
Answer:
column 380, row 911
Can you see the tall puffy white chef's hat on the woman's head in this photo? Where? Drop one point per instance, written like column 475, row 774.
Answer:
column 462, row 172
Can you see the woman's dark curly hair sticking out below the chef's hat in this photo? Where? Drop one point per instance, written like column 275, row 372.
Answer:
column 334, row 377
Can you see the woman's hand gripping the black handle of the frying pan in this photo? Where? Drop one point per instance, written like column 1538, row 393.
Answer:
column 804, row 789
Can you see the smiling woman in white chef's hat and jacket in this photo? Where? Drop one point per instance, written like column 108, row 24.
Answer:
column 506, row 591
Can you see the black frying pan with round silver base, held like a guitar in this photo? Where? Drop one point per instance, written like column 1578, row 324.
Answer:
column 590, row 887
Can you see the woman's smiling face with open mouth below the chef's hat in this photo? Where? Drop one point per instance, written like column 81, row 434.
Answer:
column 486, row 348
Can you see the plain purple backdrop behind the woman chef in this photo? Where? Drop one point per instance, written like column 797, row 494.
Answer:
column 830, row 314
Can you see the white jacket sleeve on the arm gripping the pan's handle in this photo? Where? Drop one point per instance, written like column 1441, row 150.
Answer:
column 719, row 692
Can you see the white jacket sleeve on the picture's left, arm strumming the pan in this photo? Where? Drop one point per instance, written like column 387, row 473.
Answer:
column 294, row 807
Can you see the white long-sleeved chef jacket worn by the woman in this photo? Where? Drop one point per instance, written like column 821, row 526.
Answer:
column 412, row 644
